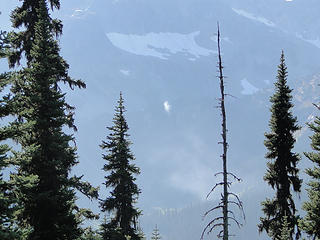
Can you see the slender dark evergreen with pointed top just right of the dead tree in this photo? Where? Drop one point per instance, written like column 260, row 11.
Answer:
column 282, row 173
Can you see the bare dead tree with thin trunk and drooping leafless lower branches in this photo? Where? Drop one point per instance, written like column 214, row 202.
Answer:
column 228, row 198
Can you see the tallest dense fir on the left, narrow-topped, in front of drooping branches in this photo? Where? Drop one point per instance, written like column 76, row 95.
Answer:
column 49, row 205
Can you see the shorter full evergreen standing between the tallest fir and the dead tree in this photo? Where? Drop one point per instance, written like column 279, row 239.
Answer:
column 121, row 179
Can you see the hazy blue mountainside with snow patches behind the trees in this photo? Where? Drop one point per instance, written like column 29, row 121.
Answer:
column 161, row 54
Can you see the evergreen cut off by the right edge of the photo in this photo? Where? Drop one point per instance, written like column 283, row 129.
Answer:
column 311, row 222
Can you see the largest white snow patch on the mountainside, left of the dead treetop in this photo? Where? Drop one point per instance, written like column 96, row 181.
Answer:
column 160, row 45
